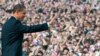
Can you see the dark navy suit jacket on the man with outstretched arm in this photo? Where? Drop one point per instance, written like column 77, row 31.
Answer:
column 12, row 36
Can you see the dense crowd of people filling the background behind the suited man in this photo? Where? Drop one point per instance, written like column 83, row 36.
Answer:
column 75, row 32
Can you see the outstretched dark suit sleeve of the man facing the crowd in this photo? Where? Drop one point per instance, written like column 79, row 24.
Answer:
column 34, row 28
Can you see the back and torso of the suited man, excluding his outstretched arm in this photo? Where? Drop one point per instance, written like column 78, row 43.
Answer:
column 11, row 38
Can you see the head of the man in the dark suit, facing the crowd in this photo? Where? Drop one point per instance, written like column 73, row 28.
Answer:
column 19, row 11
